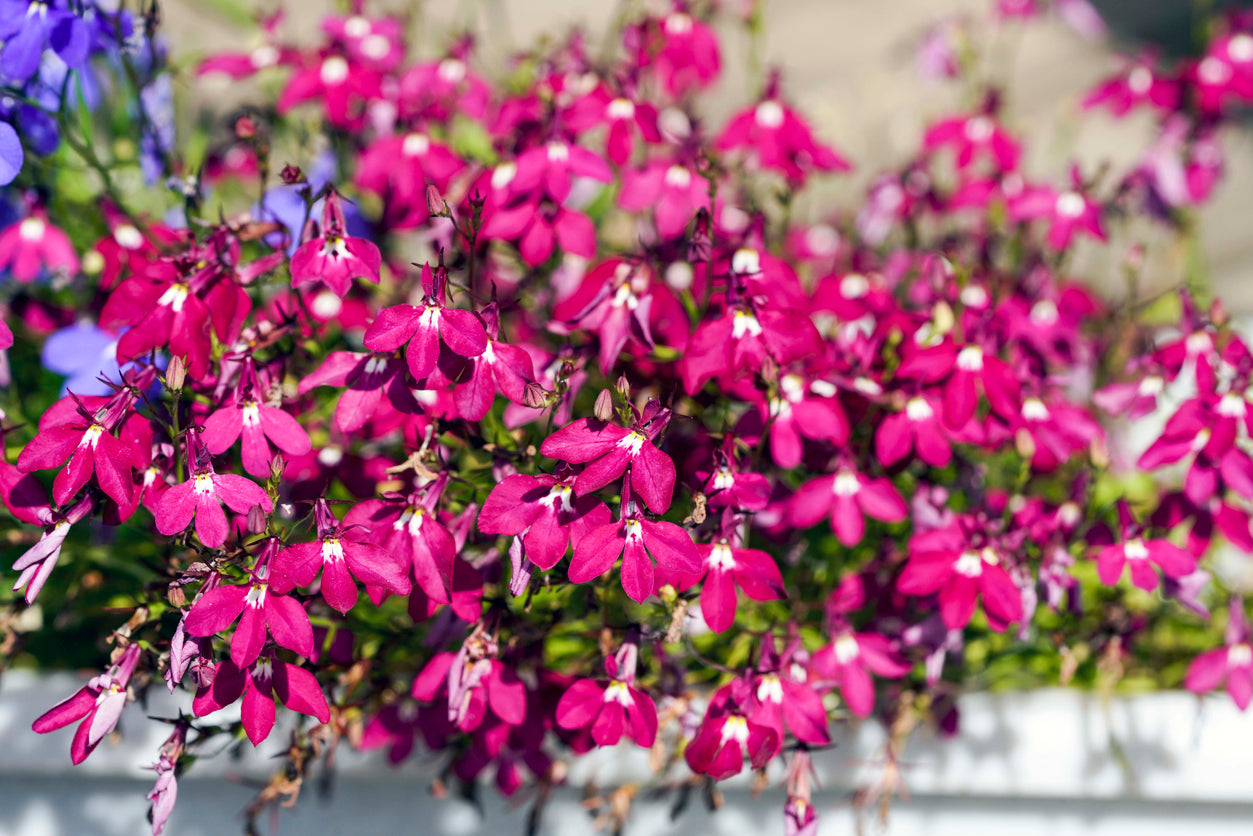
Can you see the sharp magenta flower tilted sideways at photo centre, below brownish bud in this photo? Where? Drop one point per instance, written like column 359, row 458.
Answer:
column 610, row 451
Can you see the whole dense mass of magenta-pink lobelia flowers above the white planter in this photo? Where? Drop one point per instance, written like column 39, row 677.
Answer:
column 582, row 457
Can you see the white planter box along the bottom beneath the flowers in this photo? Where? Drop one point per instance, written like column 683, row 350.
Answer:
column 1049, row 763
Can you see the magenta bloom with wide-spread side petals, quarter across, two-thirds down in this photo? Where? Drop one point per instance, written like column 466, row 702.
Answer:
column 343, row 556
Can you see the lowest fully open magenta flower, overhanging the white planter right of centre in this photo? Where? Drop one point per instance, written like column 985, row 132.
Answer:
column 727, row 736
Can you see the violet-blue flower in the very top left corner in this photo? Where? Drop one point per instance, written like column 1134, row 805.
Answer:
column 28, row 28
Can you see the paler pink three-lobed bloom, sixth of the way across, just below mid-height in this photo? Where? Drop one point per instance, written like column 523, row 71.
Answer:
column 204, row 496
